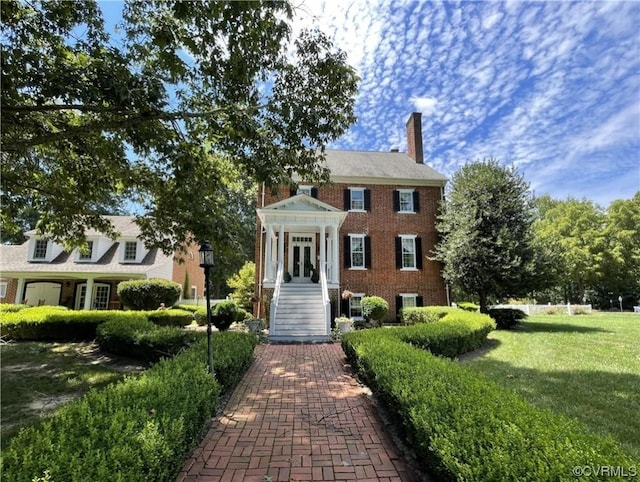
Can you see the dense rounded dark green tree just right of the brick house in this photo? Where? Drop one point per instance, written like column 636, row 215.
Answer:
column 487, row 244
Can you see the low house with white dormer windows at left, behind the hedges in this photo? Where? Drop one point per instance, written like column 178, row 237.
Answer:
column 40, row 272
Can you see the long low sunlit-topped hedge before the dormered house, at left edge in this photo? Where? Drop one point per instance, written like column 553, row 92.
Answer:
column 56, row 323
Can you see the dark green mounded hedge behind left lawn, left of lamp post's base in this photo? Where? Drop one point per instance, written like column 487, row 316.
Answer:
column 142, row 339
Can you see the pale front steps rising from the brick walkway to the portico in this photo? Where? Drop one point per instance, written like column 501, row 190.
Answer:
column 300, row 314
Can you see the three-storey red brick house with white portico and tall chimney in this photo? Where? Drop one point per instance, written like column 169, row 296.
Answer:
column 370, row 232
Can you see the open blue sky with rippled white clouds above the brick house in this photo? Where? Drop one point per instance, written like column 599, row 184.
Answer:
column 551, row 87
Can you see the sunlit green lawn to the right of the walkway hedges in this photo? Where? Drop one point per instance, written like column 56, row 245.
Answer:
column 586, row 367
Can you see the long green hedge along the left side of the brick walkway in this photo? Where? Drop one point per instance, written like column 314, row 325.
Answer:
column 139, row 429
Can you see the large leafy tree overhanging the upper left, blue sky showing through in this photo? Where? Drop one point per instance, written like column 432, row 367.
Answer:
column 190, row 104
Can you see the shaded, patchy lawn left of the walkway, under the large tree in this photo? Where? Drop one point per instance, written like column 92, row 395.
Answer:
column 38, row 377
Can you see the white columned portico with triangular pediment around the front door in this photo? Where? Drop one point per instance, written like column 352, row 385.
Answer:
column 309, row 230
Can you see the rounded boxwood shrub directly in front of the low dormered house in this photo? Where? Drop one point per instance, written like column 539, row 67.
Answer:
column 148, row 294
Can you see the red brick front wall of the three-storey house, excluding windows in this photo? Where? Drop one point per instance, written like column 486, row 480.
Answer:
column 382, row 224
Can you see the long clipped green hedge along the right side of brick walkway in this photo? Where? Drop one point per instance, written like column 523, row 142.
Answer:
column 463, row 427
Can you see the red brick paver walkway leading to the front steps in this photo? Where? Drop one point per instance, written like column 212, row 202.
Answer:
column 297, row 414
